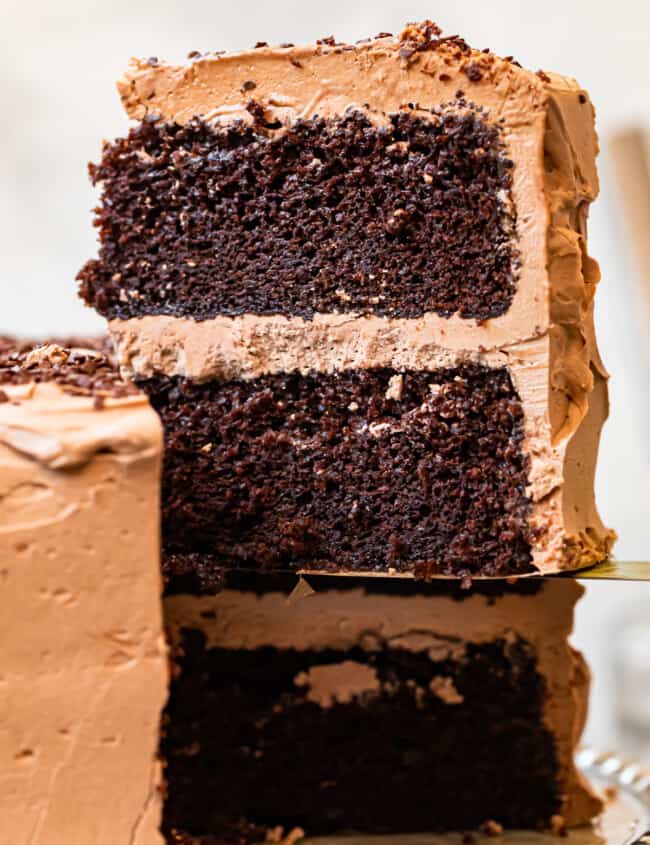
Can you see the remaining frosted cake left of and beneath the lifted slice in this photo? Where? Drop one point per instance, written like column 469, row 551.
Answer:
column 294, row 706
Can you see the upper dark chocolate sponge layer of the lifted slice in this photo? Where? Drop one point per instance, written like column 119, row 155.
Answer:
column 341, row 214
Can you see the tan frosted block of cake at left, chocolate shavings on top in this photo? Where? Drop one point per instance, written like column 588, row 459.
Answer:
column 84, row 675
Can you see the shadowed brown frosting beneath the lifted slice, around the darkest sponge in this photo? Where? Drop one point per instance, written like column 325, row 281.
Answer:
column 352, row 618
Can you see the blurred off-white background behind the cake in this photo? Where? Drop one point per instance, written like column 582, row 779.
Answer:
column 58, row 65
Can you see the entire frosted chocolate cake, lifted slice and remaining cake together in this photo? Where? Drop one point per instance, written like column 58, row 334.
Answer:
column 349, row 285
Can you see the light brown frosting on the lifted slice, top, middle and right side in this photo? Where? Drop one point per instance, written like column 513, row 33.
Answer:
column 546, row 336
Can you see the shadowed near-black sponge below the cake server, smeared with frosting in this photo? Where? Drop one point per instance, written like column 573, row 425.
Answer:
column 242, row 731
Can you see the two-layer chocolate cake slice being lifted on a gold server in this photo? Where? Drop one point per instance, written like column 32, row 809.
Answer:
column 354, row 281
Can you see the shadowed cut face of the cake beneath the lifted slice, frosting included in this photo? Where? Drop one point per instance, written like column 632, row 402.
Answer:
column 355, row 709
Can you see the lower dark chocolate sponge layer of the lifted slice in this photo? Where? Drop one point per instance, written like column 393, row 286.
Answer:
column 361, row 471
